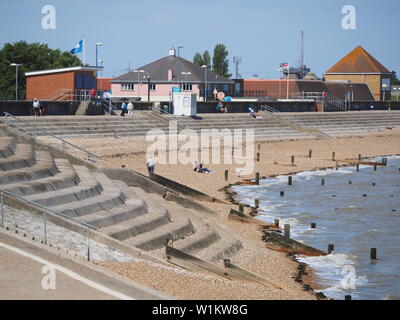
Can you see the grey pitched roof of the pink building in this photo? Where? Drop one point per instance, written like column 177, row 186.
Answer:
column 158, row 71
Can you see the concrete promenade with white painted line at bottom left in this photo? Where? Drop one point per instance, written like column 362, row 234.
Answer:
column 26, row 274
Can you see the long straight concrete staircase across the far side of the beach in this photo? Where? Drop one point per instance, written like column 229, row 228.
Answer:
column 334, row 124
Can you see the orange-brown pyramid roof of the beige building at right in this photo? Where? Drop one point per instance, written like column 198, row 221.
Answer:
column 358, row 61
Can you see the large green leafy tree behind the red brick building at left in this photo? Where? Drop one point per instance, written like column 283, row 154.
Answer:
column 32, row 56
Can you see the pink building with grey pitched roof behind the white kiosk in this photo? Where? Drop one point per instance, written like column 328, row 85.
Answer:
column 156, row 80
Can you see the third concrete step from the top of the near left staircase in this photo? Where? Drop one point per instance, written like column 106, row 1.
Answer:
column 44, row 167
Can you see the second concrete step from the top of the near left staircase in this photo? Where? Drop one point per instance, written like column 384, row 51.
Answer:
column 23, row 157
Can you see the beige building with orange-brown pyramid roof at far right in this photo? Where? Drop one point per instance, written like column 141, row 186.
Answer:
column 360, row 66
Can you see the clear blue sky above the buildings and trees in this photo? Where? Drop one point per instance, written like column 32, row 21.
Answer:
column 263, row 33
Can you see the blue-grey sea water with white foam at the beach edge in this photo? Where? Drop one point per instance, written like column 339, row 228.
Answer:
column 355, row 217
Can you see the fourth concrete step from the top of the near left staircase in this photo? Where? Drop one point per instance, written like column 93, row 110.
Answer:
column 65, row 178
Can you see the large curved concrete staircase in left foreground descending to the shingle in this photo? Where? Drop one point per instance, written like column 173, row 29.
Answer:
column 130, row 215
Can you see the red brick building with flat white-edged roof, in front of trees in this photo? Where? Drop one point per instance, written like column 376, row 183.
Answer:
column 55, row 83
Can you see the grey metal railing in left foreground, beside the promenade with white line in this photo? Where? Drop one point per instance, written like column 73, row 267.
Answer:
column 45, row 211
